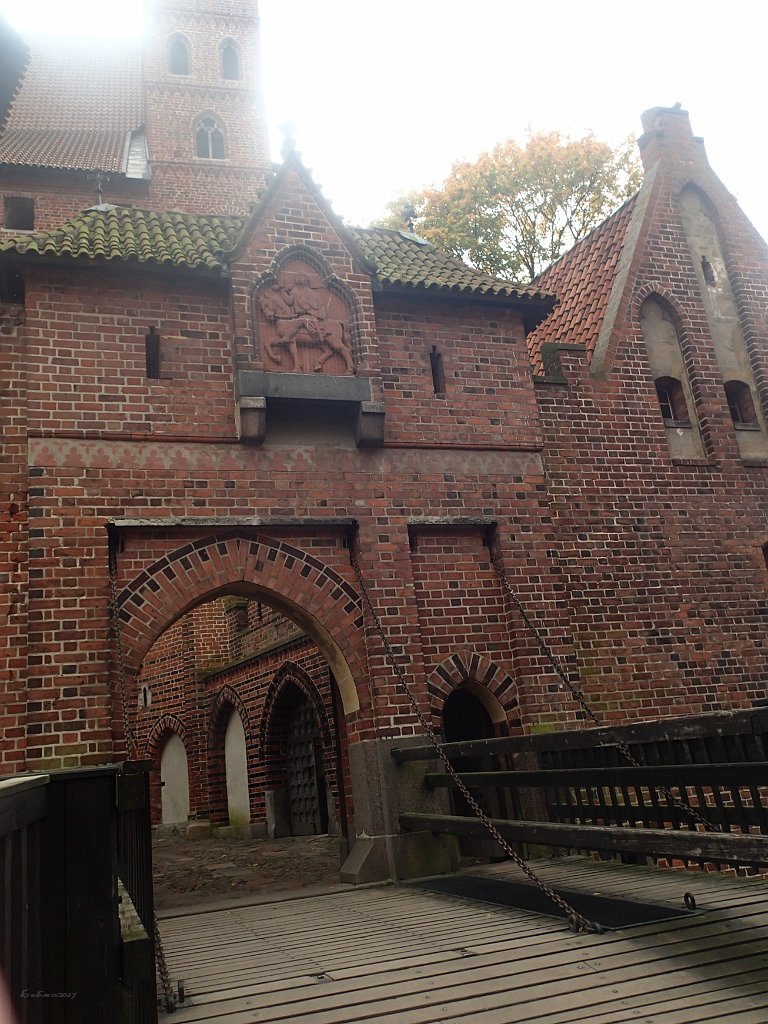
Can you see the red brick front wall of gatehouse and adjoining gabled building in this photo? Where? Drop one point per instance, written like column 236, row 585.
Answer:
column 646, row 578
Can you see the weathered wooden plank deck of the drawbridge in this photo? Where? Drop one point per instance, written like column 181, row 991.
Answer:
column 398, row 955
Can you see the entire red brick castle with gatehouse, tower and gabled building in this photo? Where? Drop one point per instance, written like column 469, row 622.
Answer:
column 217, row 395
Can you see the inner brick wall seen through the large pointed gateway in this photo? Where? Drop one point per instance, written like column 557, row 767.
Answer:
column 194, row 666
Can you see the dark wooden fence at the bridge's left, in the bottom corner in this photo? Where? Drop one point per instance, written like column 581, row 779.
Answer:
column 77, row 911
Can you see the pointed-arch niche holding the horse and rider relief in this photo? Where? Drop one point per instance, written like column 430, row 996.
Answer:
column 304, row 319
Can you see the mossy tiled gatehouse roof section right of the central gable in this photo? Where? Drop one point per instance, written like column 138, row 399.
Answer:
column 404, row 260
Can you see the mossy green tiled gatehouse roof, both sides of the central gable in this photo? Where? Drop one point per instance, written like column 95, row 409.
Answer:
column 192, row 241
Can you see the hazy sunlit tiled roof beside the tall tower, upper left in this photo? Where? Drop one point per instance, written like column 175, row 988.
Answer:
column 96, row 94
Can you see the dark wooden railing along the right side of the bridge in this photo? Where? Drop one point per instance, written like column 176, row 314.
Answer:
column 578, row 791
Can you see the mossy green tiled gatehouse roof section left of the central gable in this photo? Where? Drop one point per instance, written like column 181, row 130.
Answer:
column 109, row 233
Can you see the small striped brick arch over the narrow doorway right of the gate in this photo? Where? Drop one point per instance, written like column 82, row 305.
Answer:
column 488, row 681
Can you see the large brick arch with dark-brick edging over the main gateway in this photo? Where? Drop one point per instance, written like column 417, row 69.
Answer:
column 279, row 574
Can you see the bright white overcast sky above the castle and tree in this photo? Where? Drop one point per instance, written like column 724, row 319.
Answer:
column 383, row 98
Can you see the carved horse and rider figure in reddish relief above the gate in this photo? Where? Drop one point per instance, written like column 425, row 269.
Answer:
column 300, row 319
